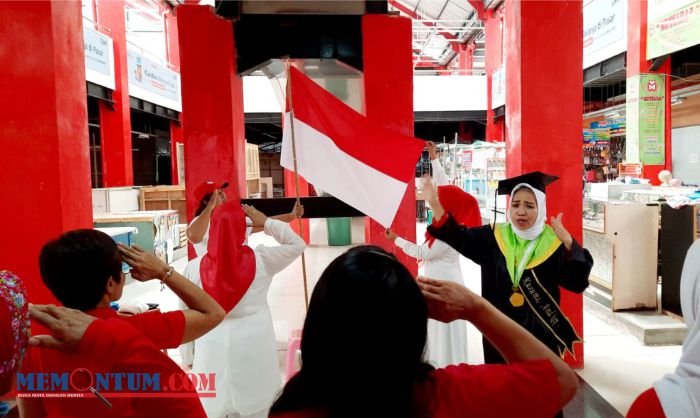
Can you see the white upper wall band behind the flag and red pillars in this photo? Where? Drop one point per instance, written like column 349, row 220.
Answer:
column 430, row 93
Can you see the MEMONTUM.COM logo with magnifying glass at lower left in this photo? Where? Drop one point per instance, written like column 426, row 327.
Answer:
column 82, row 383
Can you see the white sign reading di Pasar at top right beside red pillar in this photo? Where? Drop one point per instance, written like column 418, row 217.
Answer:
column 604, row 30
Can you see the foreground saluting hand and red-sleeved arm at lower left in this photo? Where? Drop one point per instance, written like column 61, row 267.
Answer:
column 116, row 346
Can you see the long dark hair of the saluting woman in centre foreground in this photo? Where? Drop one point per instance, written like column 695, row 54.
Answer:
column 363, row 340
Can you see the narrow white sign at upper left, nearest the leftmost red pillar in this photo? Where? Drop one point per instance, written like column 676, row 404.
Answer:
column 99, row 58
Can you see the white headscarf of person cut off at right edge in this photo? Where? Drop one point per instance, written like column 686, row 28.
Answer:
column 679, row 392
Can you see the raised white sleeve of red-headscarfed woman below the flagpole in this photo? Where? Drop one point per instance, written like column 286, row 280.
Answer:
column 276, row 259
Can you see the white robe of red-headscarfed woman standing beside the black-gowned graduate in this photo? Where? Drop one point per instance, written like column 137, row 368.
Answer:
column 447, row 343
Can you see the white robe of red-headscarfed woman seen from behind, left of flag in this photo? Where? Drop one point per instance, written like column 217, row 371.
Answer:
column 242, row 349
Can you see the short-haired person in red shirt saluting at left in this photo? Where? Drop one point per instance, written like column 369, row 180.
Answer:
column 83, row 269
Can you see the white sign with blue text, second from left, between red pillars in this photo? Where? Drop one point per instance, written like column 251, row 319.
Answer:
column 152, row 81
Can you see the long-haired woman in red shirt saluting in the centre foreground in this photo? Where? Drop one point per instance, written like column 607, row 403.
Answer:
column 364, row 339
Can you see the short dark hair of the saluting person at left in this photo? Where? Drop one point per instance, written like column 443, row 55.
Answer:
column 77, row 266
